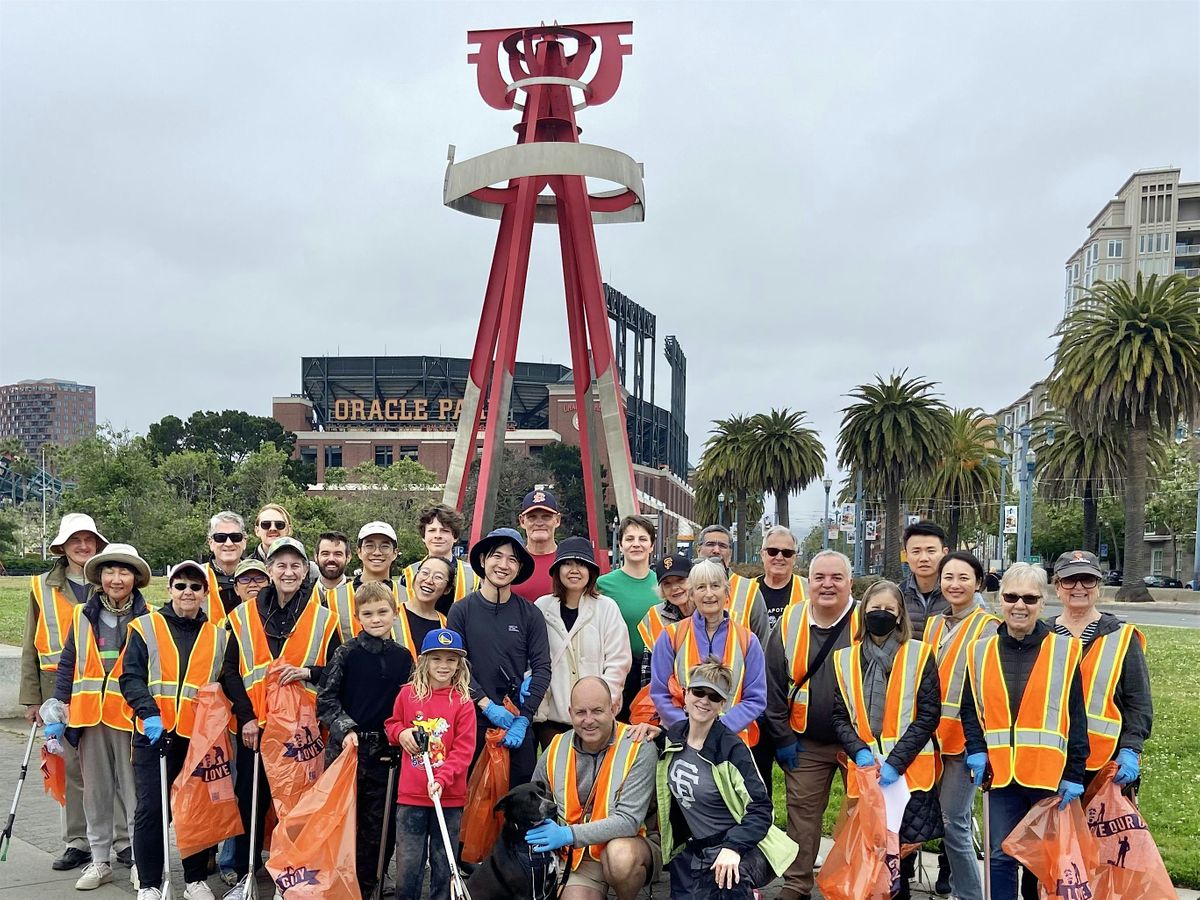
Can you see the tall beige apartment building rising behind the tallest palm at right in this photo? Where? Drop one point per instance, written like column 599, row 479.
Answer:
column 1153, row 226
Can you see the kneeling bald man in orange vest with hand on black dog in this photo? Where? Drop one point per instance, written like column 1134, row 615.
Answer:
column 603, row 782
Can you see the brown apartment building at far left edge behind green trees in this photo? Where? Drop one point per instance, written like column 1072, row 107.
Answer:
column 47, row 412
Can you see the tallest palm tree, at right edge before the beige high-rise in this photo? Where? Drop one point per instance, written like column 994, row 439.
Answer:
column 1130, row 357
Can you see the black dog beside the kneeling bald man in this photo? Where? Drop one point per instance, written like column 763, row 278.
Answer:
column 514, row 871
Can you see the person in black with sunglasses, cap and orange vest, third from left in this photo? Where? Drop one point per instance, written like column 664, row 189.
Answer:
column 172, row 652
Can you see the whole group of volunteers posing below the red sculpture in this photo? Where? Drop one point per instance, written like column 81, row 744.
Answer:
column 653, row 701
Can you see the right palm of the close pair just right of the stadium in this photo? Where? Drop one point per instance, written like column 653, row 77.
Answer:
column 785, row 455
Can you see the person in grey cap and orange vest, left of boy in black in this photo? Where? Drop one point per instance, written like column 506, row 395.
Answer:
column 286, row 621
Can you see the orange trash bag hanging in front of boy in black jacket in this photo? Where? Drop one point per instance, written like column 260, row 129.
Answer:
column 314, row 845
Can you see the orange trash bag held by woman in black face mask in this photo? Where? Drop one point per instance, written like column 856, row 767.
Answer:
column 859, row 866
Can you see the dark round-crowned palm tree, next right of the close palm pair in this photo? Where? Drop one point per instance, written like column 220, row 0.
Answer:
column 893, row 435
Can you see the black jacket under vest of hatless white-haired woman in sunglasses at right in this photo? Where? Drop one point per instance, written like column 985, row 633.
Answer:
column 1017, row 659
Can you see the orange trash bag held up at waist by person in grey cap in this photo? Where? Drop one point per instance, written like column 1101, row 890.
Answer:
column 293, row 751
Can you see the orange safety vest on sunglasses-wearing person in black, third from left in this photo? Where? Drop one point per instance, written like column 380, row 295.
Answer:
column 177, row 698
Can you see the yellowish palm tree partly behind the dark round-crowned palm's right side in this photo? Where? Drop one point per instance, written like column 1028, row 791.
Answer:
column 968, row 475
